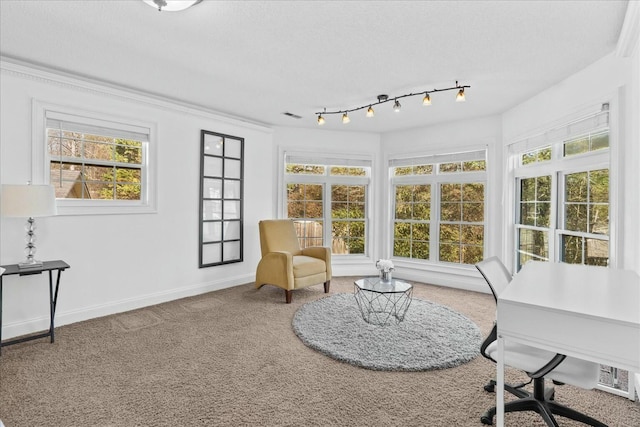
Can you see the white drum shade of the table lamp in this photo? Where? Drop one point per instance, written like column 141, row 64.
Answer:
column 28, row 200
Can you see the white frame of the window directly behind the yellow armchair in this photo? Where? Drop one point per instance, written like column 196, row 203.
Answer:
column 327, row 180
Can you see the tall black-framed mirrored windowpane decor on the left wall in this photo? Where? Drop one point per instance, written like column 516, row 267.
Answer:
column 221, row 199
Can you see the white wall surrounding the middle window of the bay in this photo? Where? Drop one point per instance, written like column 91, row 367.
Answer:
column 450, row 138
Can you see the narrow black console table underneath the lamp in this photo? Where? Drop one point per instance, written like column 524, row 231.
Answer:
column 49, row 266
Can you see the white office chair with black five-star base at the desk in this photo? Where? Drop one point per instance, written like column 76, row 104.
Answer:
column 538, row 364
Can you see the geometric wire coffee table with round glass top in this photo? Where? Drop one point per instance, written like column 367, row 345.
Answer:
column 382, row 303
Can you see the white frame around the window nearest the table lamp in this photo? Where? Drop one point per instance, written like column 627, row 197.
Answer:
column 40, row 169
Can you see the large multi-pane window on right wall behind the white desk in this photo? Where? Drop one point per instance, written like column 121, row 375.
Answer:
column 562, row 194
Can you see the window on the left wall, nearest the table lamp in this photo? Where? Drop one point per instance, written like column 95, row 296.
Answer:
column 97, row 164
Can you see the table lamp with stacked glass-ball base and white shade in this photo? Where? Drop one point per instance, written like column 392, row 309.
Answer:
column 28, row 201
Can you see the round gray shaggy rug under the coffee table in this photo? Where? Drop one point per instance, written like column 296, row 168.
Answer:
column 431, row 336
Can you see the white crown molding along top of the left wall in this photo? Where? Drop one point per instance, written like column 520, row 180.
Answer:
column 41, row 73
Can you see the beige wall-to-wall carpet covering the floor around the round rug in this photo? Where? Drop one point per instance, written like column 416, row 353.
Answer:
column 231, row 358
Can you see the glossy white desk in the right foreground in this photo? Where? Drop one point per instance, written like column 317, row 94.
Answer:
column 591, row 313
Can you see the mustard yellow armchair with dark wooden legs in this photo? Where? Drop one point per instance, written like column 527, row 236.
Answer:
column 284, row 264
